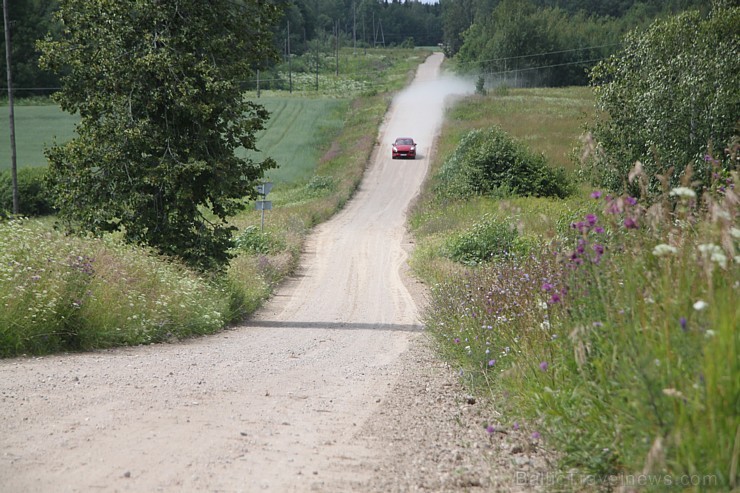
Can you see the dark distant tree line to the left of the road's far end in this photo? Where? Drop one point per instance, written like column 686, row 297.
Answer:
column 302, row 27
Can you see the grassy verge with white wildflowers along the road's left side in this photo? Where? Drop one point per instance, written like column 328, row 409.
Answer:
column 61, row 293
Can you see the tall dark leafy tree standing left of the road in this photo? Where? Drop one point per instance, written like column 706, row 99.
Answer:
column 157, row 86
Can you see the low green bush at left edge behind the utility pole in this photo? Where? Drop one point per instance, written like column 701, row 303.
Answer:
column 33, row 196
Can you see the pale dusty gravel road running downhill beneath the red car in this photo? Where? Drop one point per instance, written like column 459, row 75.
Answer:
column 330, row 387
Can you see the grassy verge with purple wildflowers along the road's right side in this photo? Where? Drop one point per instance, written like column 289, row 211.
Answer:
column 614, row 337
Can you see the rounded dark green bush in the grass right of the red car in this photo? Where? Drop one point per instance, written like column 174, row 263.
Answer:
column 490, row 162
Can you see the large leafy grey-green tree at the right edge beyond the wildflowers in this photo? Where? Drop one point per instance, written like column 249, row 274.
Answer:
column 670, row 99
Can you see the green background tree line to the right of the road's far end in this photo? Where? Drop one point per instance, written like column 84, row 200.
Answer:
column 544, row 42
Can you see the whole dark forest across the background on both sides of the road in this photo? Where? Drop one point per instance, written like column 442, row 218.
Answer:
column 518, row 42
